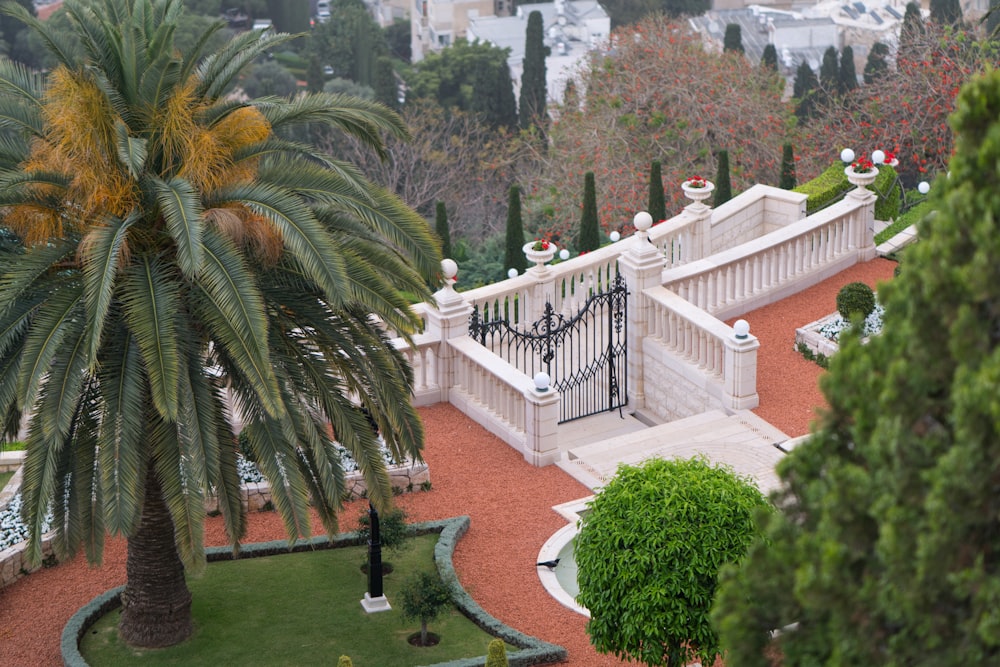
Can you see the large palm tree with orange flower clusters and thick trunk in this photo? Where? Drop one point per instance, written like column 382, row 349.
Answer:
column 173, row 250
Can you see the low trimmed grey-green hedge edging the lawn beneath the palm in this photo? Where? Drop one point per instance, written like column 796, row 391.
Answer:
column 531, row 650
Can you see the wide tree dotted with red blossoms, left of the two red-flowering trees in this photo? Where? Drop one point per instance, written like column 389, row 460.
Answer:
column 658, row 96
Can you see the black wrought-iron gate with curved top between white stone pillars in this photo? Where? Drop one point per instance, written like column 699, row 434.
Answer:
column 585, row 355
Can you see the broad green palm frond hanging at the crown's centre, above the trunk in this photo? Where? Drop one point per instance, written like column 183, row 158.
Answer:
column 151, row 302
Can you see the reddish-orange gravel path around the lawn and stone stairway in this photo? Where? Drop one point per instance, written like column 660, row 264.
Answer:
column 473, row 473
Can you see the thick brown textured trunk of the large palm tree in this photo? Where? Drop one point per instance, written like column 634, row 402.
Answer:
column 156, row 603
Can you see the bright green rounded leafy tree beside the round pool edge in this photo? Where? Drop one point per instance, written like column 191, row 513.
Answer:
column 649, row 552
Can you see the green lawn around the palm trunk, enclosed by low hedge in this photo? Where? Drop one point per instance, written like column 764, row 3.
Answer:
column 297, row 609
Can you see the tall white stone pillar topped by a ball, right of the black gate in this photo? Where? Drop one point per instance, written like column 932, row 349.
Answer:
column 642, row 267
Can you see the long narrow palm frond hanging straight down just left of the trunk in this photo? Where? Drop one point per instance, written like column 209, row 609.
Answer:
column 121, row 439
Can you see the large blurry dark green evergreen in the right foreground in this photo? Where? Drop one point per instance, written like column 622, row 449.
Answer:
column 885, row 551
